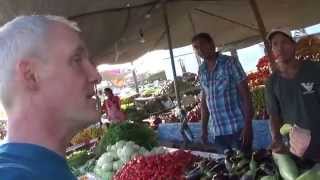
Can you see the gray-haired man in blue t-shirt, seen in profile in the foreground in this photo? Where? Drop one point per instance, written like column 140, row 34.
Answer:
column 47, row 88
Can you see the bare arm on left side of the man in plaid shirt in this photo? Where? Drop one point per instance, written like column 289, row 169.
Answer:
column 204, row 118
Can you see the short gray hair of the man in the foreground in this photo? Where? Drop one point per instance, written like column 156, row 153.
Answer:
column 22, row 37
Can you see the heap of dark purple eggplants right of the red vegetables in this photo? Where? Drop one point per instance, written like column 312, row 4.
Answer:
column 236, row 165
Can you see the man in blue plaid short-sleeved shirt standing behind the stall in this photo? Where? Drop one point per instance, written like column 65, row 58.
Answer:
column 226, row 107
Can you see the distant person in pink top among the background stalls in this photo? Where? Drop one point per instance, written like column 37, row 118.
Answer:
column 112, row 107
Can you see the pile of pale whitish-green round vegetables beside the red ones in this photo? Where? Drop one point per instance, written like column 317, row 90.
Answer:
column 117, row 155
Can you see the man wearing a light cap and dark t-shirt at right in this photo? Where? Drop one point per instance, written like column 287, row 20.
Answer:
column 293, row 96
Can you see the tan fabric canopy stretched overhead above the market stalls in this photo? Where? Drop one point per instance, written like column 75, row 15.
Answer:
column 119, row 31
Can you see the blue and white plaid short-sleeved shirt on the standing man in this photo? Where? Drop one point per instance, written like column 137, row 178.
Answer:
column 222, row 95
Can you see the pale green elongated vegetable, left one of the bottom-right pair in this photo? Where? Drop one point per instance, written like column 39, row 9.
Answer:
column 287, row 167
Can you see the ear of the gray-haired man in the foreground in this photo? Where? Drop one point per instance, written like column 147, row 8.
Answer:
column 27, row 74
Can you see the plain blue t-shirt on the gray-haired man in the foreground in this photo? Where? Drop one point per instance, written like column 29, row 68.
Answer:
column 32, row 162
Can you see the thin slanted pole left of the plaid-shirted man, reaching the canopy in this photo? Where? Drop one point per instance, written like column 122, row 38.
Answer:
column 166, row 23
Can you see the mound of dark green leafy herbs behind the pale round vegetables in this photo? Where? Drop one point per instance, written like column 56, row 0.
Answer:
column 138, row 133
